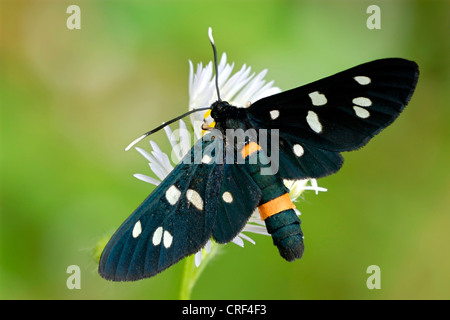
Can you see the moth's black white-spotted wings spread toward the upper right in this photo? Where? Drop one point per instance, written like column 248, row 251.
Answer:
column 338, row 113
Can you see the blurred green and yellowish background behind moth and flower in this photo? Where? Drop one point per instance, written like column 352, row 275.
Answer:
column 71, row 100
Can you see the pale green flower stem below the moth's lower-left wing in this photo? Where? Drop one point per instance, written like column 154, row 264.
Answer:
column 191, row 272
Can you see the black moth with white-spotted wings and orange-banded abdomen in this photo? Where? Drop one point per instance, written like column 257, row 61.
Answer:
column 214, row 190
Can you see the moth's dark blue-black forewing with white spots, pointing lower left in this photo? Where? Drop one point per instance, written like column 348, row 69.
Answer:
column 169, row 225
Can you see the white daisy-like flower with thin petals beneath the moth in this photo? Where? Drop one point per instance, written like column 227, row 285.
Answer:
column 238, row 89
